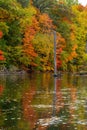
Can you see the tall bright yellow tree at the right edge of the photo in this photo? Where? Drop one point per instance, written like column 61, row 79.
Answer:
column 80, row 33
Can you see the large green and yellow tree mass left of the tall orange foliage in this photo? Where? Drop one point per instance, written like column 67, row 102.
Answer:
column 13, row 21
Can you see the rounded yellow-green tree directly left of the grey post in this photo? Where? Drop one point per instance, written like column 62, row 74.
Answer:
column 43, row 45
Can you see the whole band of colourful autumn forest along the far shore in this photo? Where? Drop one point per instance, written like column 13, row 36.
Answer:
column 27, row 39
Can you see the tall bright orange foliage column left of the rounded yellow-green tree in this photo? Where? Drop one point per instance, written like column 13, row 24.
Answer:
column 29, row 34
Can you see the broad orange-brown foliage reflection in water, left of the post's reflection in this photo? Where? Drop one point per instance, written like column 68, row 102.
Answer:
column 28, row 111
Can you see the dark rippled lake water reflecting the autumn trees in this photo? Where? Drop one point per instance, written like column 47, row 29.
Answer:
column 42, row 102
